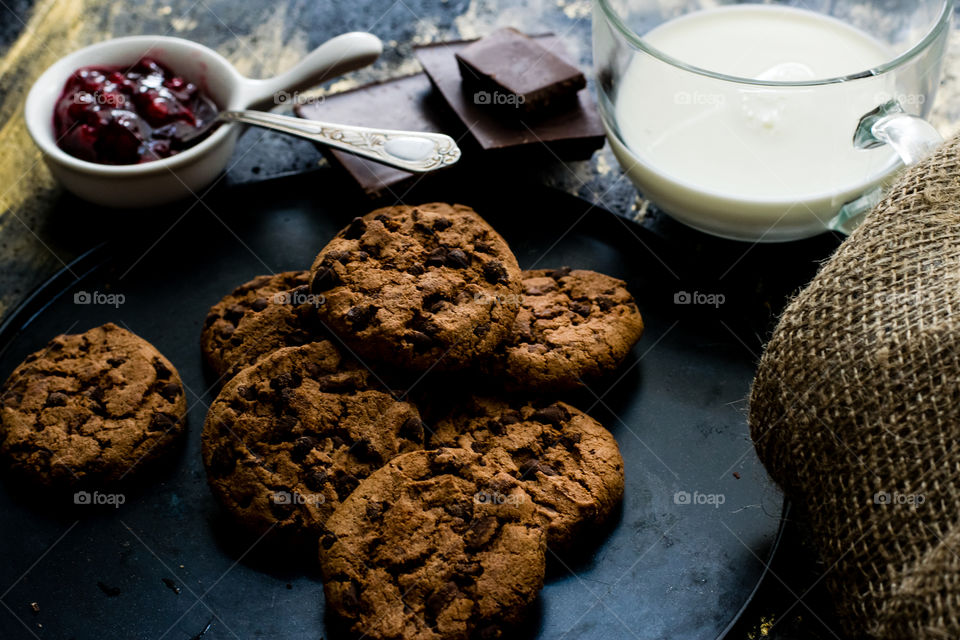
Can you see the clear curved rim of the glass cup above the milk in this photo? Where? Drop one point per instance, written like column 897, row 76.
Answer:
column 942, row 22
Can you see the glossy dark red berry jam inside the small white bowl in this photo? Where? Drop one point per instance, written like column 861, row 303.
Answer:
column 117, row 115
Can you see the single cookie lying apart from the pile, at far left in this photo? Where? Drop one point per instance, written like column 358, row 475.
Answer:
column 90, row 409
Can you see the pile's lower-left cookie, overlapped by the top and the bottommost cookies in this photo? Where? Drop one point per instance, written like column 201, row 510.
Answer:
column 290, row 437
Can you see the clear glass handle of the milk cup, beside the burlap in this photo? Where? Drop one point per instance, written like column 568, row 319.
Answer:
column 912, row 137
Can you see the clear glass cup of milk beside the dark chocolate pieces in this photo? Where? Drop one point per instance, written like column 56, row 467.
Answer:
column 767, row 122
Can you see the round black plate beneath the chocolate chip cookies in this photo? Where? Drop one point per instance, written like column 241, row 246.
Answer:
column 699, row 519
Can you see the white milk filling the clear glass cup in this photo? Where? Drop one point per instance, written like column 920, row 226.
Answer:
column 736, row 159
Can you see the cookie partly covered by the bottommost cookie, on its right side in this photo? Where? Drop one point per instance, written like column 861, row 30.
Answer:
column 565, row 460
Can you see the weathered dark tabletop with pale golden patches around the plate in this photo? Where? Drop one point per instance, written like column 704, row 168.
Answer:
column 38, row 235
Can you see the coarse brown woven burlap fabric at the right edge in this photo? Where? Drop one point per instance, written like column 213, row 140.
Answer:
column 855, row 410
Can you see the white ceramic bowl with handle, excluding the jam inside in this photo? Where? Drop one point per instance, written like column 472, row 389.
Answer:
column 191, row 171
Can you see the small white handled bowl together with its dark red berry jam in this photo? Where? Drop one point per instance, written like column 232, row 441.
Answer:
column 116, row 121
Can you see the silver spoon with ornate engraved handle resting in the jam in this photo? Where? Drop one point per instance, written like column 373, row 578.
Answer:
column 413, row 151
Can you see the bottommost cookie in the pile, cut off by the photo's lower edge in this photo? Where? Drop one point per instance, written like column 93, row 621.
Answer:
column 416, row 552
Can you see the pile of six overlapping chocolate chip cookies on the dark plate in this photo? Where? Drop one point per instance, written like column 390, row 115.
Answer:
column 433, row 518
